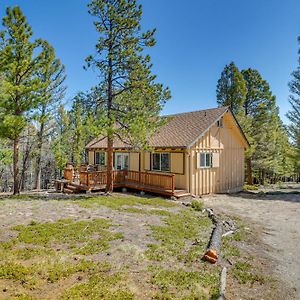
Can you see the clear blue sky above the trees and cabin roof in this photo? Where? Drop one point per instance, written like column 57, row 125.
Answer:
column 195, row 39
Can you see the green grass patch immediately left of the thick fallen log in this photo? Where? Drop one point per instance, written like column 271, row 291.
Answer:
column 177, row 236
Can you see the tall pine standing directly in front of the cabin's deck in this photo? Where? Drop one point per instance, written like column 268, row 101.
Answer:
column 124, row 71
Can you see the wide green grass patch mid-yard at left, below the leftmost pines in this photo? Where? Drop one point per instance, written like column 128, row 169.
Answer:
column 84, row 237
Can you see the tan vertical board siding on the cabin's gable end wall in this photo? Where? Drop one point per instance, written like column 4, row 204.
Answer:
column 226, row 144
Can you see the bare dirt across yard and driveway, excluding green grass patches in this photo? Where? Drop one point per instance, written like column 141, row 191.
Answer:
column 269, row 221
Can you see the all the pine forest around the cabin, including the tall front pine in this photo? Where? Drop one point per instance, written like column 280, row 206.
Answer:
column 39, row 136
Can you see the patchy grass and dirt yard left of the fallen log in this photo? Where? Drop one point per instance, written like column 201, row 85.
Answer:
column 119, row 247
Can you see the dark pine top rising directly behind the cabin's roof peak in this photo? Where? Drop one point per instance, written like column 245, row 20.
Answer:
column 231, row 88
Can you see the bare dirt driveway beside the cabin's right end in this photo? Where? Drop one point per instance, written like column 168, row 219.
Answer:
column 275, row 214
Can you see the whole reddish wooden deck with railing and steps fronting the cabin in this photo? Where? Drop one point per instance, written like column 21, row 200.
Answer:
column 163, row 184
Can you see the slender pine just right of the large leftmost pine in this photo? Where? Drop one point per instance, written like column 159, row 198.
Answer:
column 52, row 75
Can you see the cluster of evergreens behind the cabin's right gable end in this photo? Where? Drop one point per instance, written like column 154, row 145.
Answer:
column 254, row 105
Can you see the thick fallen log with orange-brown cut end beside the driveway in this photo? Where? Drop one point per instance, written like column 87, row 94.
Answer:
column 213, row 250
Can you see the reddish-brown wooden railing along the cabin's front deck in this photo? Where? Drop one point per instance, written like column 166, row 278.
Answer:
column 134, row 179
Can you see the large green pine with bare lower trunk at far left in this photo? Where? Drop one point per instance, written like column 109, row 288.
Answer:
column 20, row 60
